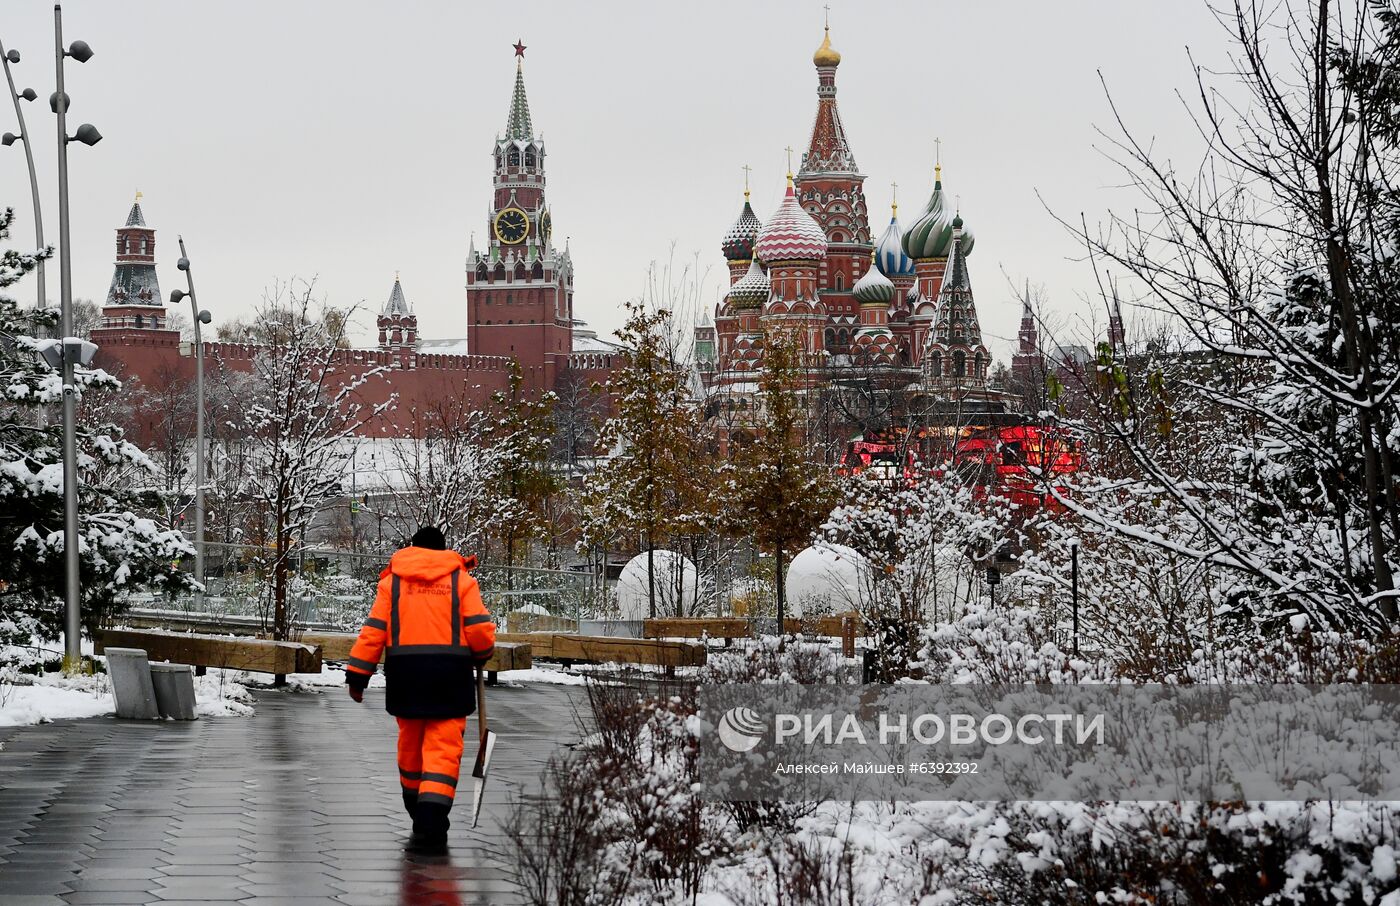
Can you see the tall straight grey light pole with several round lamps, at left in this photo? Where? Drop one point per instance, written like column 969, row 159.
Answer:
column 87, row 135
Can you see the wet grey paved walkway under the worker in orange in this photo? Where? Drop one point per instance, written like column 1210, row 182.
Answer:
column 297, row 804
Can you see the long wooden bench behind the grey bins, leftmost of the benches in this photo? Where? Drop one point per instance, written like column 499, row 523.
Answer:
column 258, row 656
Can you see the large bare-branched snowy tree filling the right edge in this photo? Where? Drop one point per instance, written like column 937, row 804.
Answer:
column 1266, row 450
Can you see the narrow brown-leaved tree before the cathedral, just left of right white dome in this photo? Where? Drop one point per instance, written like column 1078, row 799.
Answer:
column 779, row 488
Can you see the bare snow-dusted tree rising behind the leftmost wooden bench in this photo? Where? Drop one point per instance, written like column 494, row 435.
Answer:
column 296, row 417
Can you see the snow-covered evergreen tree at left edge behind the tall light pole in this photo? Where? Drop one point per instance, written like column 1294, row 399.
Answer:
column 121, row 547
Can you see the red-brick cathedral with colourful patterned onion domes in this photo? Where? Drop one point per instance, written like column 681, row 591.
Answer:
column 899, row 305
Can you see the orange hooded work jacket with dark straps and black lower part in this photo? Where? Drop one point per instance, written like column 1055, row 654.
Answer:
column 432, row 628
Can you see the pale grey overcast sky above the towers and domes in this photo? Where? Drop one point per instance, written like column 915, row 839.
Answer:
column 348, row 141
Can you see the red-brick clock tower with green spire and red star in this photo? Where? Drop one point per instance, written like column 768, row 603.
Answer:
column 520, row 289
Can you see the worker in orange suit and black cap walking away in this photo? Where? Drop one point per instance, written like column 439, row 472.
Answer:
column 429, row 622
